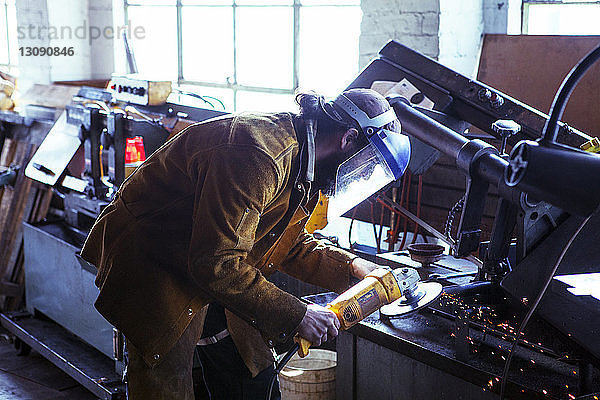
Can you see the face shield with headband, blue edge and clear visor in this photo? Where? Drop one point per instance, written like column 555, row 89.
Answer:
column 382, row 161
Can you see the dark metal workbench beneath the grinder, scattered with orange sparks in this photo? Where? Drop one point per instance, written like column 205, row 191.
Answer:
column 439, row 353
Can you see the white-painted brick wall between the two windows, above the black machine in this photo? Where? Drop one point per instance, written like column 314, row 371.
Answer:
column 448, row 30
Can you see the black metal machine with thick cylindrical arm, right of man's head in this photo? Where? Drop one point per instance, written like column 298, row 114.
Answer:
column 543, row 212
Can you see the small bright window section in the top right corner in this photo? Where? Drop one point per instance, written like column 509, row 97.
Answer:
column 556, row 17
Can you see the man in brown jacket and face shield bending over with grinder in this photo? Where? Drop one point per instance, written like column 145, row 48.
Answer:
column 184, row 248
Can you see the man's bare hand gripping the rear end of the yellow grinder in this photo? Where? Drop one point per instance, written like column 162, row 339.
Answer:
column 318, row 325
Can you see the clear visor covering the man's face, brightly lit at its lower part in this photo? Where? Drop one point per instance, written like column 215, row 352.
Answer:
column 358, row 178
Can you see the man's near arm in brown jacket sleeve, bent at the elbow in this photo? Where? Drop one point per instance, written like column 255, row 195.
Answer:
column 239, row 182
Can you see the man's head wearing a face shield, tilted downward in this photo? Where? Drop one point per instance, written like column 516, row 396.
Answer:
column 358, row 145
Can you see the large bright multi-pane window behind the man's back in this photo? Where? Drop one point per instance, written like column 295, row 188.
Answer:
column 250, row 54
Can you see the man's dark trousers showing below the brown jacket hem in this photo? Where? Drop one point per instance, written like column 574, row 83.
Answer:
column 225, row 374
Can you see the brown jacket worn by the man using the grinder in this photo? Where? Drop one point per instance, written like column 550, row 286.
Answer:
column 207, row 217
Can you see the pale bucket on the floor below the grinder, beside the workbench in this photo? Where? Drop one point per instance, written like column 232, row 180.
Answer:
column 309, row 378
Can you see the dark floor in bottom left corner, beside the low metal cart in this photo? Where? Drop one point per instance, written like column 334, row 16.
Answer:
column 33, row 377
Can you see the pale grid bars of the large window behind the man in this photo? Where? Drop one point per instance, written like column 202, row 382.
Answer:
column 234, row 85
